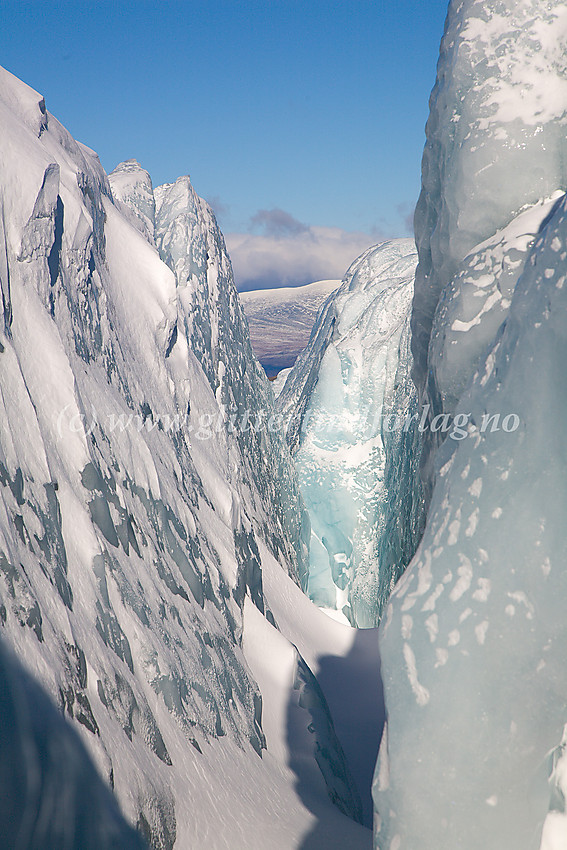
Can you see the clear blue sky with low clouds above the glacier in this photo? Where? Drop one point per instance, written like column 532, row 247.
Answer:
column 300, row 120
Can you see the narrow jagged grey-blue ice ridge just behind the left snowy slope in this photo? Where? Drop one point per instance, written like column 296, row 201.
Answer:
column 191, row 243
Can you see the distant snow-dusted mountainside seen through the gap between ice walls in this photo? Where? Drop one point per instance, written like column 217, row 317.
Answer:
column 281, row 321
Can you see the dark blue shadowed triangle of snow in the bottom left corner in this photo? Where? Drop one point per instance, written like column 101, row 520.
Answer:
column 51, row 795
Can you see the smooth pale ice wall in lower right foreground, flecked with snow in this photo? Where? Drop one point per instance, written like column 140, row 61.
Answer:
column 473, row 640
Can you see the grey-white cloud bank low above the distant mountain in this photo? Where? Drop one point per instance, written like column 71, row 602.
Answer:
column 288, row 253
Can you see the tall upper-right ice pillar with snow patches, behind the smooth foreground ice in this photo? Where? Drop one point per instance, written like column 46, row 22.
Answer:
column 493, row 162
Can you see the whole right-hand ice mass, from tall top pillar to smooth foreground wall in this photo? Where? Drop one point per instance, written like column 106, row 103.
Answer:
column 473, row 753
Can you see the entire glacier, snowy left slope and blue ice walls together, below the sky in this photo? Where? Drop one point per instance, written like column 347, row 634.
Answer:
column 159, row 539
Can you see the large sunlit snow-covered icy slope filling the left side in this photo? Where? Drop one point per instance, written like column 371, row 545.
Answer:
column 138, row 514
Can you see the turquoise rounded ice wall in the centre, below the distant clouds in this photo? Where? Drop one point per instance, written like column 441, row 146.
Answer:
column 346, row 400
